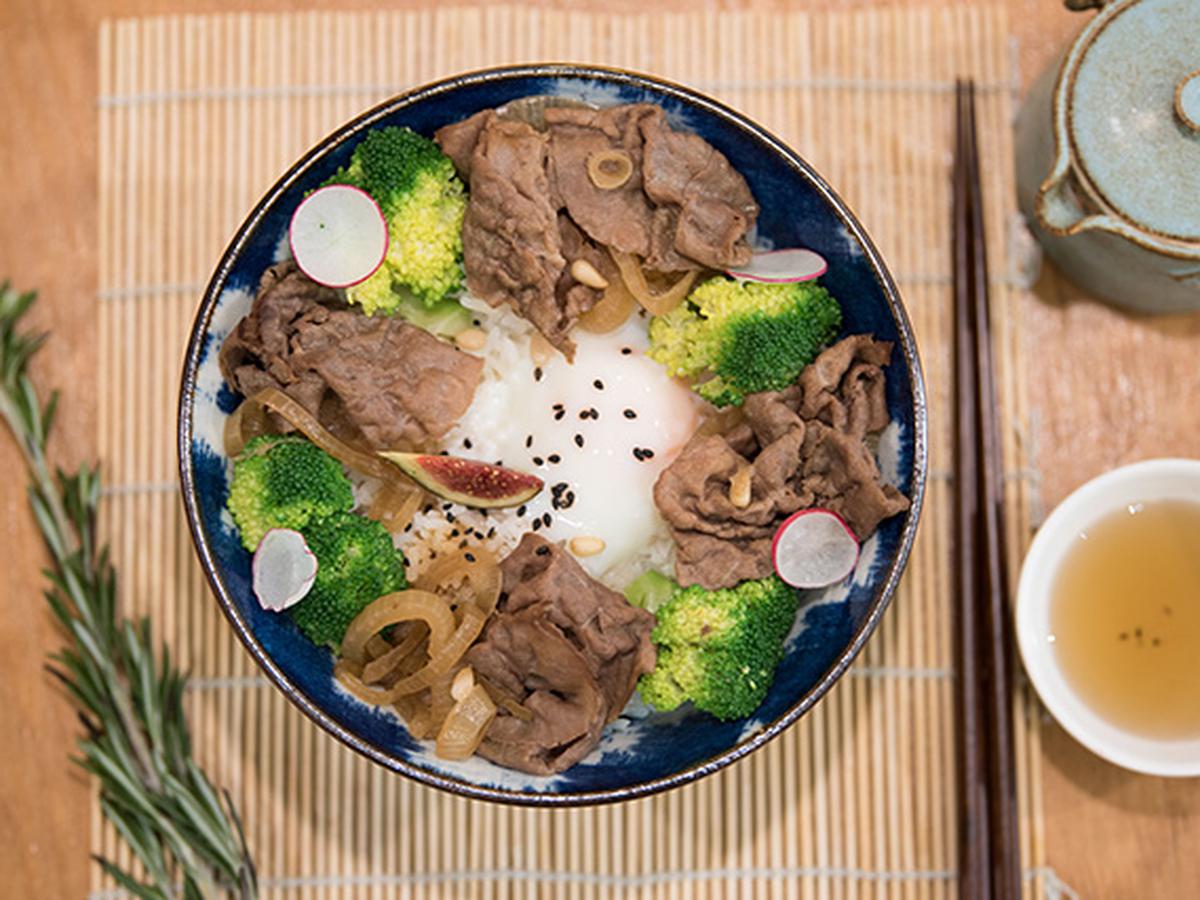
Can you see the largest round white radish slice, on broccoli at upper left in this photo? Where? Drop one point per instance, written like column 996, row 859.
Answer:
column 339, row 236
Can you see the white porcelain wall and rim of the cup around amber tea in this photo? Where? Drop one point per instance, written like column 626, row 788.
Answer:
column 1153, row 481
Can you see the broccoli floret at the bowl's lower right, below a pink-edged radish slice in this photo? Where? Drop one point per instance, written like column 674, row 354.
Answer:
column 719, row 649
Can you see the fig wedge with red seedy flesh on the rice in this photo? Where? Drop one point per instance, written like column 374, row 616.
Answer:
column 467, row 482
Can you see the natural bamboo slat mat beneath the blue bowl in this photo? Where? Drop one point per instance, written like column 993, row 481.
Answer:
column 197, row 118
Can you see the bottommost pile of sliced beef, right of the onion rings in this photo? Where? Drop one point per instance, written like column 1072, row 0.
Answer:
column 566, row 646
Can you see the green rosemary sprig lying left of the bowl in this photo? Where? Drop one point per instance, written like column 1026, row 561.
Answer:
column 188, row 838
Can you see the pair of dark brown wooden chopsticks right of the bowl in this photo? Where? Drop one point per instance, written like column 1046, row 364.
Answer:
column 989, row 860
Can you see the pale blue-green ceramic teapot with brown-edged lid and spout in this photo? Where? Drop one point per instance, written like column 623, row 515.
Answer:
column 1108, row 155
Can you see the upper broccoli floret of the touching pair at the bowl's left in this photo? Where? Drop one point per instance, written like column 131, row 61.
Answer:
column 285, row 483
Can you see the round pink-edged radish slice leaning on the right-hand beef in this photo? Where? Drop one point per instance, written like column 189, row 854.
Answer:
column 814, row 549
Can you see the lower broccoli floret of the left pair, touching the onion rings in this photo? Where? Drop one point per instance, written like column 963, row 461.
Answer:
column 357, row 563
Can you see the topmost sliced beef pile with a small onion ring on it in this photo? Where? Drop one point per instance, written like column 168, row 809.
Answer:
column 685, row 206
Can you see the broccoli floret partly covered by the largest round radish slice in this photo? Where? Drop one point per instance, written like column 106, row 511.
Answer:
column 424, row 202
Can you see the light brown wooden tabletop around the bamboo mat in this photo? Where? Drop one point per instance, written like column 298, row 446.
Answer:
column 1112, row 391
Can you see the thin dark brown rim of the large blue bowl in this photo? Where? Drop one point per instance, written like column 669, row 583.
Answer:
column 575, row 73
